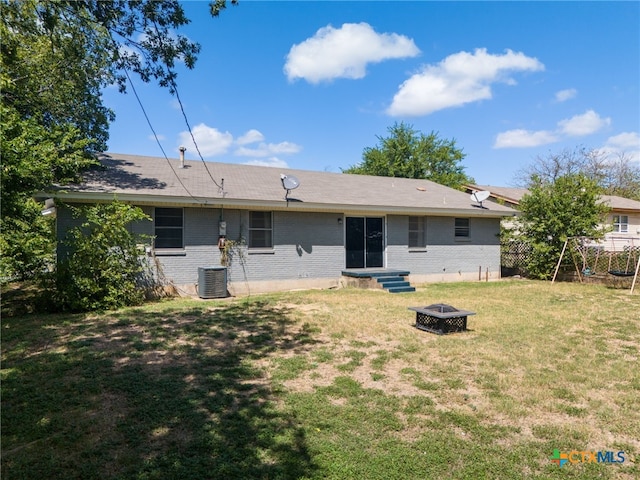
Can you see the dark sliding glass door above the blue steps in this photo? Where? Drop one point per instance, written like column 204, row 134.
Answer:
column 365, row 242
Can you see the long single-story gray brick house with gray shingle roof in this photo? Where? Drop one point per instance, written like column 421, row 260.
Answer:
column 304, row 237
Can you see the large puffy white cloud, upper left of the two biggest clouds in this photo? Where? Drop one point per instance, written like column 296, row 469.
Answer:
column 344, row 52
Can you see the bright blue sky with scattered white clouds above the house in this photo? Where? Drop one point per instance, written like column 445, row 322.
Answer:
column 309, row 85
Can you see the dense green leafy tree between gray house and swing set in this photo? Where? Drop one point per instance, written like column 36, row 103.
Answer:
column 554, row 211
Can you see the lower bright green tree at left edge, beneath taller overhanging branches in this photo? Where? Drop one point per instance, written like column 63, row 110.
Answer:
column 33, row 157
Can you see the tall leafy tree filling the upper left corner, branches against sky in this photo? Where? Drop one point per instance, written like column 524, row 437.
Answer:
column 56, row 57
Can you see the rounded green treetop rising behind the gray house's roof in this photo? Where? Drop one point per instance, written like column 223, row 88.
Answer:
column 410, row 154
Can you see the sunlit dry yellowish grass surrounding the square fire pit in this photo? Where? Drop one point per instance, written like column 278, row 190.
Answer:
column 549, row 363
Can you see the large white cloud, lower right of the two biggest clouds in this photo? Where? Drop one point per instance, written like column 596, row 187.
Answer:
column 458, row 79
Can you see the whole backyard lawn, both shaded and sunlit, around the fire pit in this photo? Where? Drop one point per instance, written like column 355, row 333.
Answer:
column 333, row 384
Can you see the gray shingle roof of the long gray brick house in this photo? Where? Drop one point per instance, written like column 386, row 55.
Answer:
column 155, row 180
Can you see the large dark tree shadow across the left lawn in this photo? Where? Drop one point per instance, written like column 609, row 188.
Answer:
column 140, row 394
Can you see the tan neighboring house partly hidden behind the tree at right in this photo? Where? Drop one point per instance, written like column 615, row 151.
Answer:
column 623, row 221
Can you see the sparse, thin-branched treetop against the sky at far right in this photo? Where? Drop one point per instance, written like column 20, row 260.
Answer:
column 615, row 174
